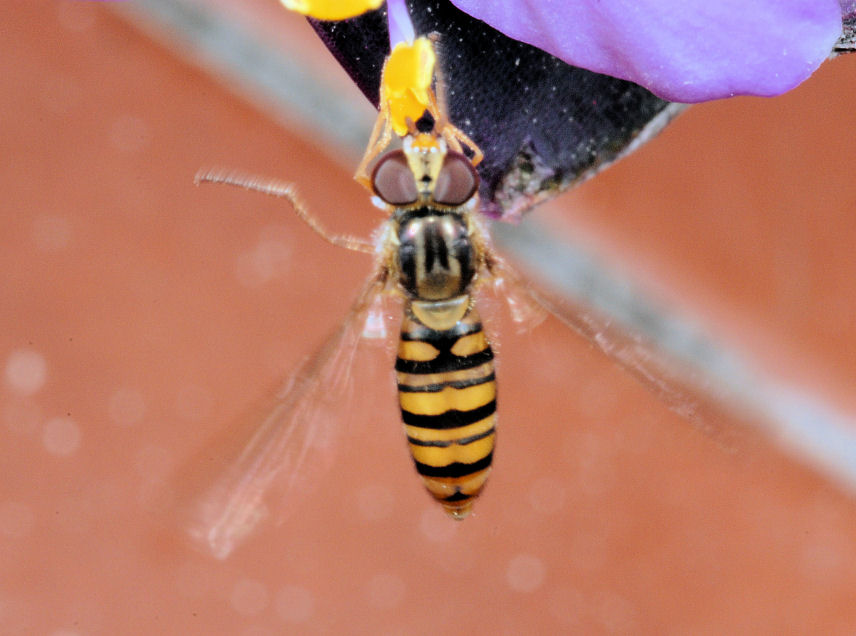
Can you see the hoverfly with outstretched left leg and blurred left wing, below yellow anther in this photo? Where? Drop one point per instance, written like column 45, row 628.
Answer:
column 433, row 253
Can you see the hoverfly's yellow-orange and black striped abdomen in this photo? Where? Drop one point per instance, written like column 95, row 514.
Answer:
column 447, row 392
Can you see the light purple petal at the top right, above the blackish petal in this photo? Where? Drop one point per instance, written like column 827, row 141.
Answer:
column 681, row 50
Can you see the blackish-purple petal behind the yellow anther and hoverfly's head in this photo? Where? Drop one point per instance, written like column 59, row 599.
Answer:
column 543, row 125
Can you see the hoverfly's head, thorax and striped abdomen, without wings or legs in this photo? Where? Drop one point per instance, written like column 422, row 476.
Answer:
column 445, row 371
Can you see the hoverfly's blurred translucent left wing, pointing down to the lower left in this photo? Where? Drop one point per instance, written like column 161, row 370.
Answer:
column 298, row 433
